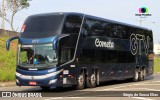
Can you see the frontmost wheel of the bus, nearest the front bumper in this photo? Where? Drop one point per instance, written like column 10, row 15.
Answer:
column 80, row 82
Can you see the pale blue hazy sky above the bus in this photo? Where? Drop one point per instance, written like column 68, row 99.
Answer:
column 119, row 10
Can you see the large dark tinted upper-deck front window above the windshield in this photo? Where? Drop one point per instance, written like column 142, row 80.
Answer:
column 42, row 26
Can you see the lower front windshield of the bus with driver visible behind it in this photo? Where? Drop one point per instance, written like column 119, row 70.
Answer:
column 39, row 55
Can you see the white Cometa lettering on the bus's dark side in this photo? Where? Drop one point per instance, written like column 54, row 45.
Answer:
column 99, row 43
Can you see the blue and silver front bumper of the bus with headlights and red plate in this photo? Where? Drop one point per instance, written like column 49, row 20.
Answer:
column 49, row 79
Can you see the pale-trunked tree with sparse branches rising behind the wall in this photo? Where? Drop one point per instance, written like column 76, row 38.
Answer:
column 14, row 6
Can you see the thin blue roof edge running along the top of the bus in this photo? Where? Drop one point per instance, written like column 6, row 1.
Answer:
column 99, row 18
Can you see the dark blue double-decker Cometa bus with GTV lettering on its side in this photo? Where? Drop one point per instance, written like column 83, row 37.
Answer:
column 74, row 49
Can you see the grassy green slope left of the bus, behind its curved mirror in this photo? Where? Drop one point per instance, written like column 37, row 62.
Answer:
column 7, row 60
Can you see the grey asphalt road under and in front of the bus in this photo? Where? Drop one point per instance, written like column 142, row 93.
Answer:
column 111, row 90
